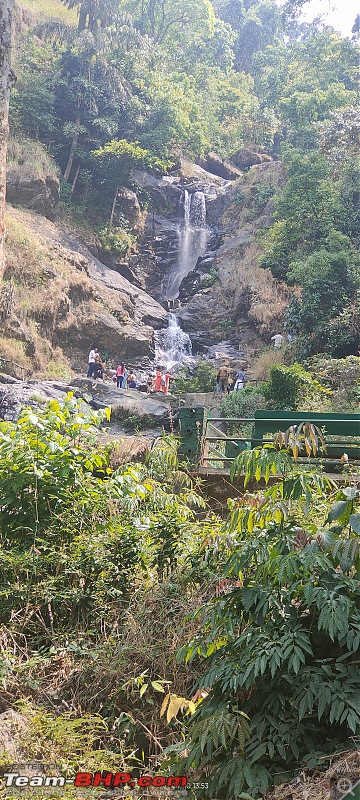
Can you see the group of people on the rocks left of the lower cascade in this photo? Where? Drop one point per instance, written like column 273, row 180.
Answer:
column 124, row 378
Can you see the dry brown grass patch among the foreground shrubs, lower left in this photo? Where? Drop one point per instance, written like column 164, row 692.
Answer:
column 146, row 636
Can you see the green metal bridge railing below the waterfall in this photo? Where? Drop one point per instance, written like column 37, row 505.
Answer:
column 210, row 444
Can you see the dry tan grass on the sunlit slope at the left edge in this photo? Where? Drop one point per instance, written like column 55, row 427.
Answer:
column 51, row 288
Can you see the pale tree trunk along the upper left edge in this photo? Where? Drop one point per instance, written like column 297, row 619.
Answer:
column 6, row 9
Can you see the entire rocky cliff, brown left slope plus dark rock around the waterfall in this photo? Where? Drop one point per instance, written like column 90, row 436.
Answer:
column 62, row 298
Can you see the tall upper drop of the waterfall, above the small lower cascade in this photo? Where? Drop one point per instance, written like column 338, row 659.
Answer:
column 193, row 236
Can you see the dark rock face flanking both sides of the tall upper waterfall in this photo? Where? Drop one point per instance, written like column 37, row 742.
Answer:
column 226, row 297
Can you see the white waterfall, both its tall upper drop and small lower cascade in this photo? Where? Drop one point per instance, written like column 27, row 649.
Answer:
column 173, row 346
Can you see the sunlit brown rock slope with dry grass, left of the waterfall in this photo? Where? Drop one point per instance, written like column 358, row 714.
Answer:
column 65, row 300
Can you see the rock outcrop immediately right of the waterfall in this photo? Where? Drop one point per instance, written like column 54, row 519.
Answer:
column 244, row 302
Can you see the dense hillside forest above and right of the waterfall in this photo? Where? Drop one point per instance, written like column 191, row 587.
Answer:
column 140, row 84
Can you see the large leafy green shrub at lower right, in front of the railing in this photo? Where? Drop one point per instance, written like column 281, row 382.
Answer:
column 279, row 646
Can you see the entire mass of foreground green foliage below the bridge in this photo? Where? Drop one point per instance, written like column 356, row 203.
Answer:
column 89, row 552
